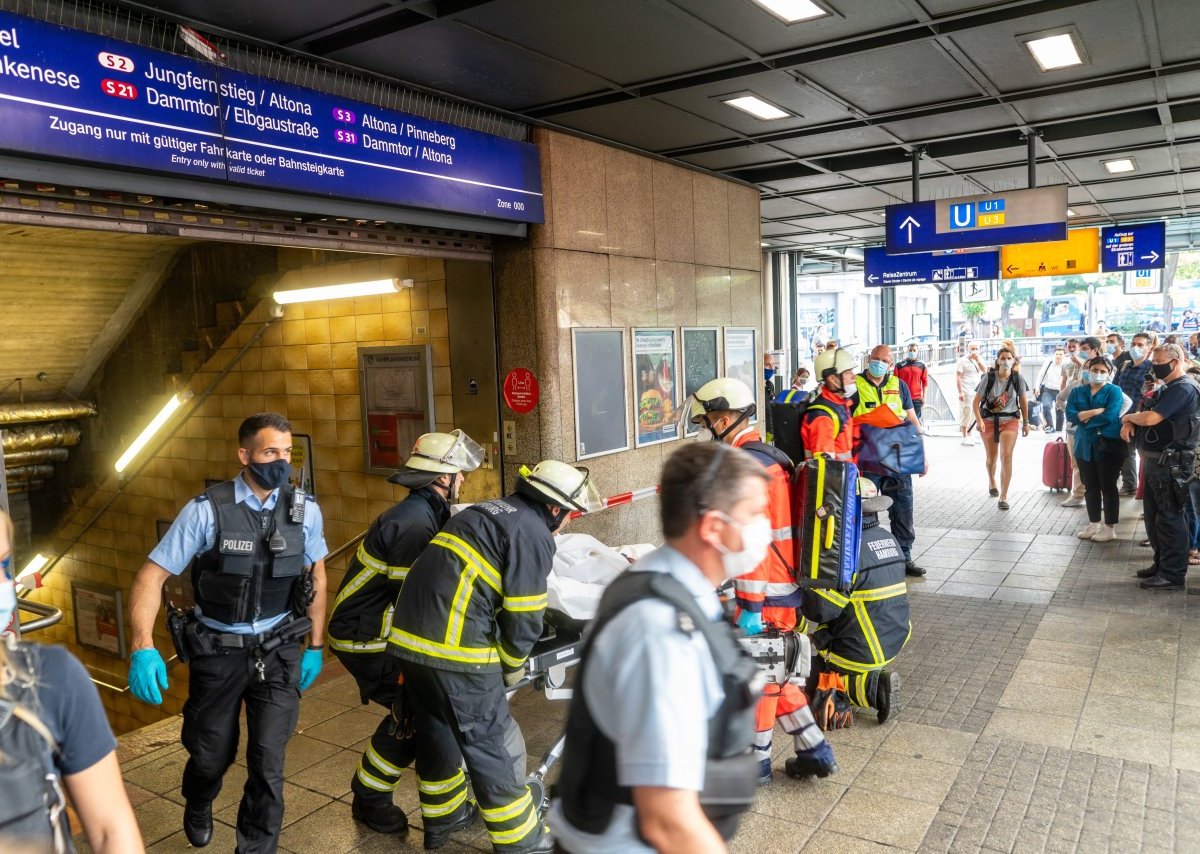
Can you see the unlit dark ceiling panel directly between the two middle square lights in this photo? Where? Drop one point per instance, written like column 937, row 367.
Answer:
column 909, row 76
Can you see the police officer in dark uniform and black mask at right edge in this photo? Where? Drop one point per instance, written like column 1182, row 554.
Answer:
column 1167, row 431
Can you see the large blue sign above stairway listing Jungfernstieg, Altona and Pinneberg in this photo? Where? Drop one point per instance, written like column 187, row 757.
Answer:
column 79, row 97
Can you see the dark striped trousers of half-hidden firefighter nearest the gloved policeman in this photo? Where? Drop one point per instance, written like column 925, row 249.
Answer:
column 393, row 747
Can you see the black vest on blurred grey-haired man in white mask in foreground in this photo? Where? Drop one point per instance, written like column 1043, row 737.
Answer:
column 589, row 784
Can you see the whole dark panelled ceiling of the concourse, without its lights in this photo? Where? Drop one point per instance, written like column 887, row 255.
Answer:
column 868, row 86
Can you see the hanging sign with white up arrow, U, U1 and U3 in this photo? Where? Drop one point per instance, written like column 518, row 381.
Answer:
column 1022, row 216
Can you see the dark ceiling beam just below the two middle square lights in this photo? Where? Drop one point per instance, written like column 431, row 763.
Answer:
column 931, row 111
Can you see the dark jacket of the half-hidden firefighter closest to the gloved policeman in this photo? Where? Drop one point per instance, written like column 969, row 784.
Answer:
column 362, row 616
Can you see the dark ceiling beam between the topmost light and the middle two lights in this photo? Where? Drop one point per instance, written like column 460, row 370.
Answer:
column 842, row 49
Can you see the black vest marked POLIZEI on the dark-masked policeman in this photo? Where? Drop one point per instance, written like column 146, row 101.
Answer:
column 241, row 580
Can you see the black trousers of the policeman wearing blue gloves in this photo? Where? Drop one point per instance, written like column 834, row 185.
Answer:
column 218, row 688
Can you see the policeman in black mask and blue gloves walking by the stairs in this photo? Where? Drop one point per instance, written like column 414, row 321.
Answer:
column 260, row 585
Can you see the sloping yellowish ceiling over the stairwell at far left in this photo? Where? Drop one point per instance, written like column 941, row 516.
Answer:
column 68, row 298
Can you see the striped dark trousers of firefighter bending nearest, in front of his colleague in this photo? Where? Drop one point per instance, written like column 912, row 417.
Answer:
column 465, row 717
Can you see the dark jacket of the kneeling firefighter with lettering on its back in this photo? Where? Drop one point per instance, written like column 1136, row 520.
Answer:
column 866, row 630
